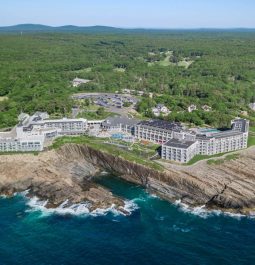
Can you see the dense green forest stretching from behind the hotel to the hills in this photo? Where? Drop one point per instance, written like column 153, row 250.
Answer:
column 181, row 68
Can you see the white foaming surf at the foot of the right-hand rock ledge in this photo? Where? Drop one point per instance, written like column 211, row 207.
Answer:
column 203, row 212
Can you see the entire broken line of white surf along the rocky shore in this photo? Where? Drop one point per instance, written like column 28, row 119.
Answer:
column 82, row 209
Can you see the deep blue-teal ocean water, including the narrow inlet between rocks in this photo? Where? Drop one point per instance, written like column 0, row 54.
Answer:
column 156, row 233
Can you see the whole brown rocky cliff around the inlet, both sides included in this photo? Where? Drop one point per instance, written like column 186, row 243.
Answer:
column 68, row 174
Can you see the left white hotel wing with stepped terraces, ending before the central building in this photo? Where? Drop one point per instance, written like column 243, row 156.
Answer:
column 33, row 132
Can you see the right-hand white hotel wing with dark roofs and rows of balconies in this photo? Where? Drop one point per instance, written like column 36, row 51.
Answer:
column 182, row 145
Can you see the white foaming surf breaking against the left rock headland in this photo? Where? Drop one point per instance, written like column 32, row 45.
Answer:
column 80, row 209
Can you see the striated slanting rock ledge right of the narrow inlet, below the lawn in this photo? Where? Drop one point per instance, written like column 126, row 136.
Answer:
column 229, row 186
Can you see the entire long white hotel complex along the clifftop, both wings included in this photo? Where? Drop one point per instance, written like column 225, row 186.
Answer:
column 178, row 144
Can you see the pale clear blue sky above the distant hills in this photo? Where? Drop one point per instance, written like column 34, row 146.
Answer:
column 131, row 13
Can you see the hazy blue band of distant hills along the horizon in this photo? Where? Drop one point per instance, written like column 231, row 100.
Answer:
column 33, row 28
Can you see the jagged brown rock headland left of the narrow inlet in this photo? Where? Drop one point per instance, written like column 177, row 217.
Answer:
column 52, row 177
